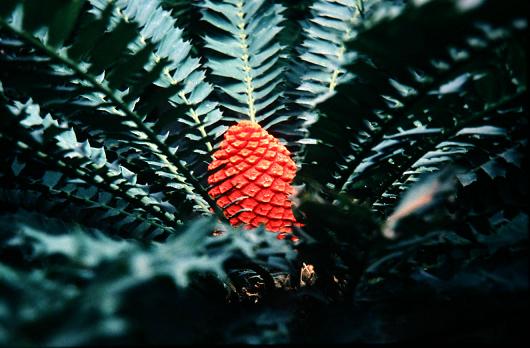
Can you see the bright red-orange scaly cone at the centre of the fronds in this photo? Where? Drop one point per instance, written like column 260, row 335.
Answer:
column 254, row 183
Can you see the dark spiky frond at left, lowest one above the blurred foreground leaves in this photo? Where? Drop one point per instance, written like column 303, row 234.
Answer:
column 48, row 159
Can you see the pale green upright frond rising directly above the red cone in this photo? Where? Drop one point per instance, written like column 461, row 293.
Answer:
column 246, row 57
